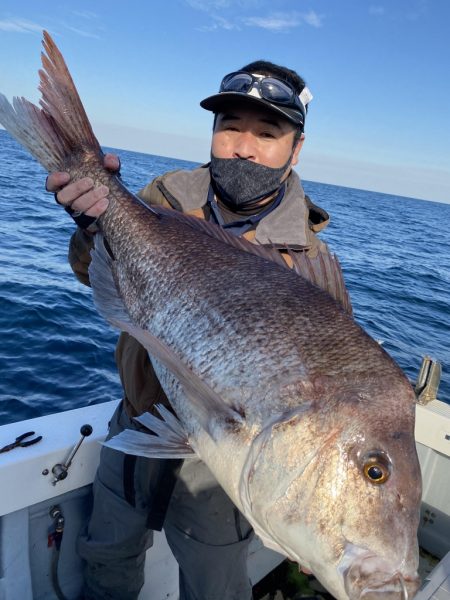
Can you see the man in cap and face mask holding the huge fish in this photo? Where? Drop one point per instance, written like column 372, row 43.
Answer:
column 250, row 189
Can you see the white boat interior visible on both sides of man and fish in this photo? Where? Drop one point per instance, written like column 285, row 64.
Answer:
column 27, row 494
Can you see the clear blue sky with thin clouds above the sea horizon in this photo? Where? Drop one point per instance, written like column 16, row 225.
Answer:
column 378, row 70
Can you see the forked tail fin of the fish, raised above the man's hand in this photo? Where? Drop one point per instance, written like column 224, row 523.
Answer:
column 60, row 127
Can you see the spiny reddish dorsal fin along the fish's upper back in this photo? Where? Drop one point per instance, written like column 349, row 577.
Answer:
column 324, row 270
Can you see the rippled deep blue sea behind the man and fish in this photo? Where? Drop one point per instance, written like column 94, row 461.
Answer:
column 56, row 353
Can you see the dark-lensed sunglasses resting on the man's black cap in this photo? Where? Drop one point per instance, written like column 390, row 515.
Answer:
column 268, row 88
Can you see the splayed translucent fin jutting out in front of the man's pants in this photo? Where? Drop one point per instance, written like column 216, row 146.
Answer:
column 170, row 439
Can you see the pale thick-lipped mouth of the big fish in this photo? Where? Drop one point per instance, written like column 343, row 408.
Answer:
column 369, row 576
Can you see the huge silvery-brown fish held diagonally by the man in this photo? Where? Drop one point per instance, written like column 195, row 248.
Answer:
column 305, row 421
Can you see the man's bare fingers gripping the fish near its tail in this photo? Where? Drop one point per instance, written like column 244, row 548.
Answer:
column 80, row 195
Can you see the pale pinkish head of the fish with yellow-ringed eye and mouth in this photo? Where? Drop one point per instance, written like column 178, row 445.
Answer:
column 344, row 493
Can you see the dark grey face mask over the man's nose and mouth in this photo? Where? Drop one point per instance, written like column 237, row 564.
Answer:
column 241, row 183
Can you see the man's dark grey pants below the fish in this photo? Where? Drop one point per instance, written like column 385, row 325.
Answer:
column 208, row 536
